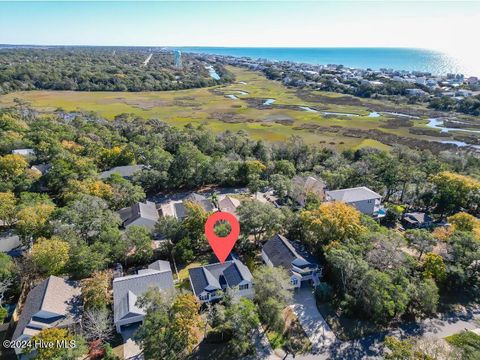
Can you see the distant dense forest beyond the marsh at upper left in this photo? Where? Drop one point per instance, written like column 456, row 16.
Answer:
column 101, row 69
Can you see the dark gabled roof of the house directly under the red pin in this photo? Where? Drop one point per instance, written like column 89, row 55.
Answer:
column 210, row 277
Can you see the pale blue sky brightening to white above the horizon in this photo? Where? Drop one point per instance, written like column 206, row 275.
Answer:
column 444, row 26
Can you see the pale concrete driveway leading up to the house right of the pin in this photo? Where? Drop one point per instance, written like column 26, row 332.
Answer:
column 313, row 323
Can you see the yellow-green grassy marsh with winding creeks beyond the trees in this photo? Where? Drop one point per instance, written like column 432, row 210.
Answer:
column 212, row 107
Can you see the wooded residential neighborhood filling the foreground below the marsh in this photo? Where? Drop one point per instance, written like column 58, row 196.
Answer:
column 104, row 250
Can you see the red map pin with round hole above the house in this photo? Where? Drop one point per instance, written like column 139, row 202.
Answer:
column 222, row 245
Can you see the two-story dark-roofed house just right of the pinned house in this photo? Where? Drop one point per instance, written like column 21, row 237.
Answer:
column 281, row 252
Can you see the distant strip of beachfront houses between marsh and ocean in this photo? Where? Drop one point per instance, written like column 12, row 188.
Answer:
column 344, row 78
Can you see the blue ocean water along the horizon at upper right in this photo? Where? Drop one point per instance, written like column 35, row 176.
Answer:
column 434, row 62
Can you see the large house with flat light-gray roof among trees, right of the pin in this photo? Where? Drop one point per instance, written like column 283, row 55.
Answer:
column 362, row 198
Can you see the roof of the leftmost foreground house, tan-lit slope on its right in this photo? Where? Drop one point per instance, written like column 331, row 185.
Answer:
column 55, row 295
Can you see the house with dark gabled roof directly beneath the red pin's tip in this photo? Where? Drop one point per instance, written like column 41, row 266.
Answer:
column 210, row 281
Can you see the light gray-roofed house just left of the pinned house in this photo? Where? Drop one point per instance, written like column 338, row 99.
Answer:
column 127, row 289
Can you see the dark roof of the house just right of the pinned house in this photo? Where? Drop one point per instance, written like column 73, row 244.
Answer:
column 282, row 252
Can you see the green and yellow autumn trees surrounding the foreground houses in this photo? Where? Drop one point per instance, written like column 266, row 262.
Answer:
column 68, row 217
